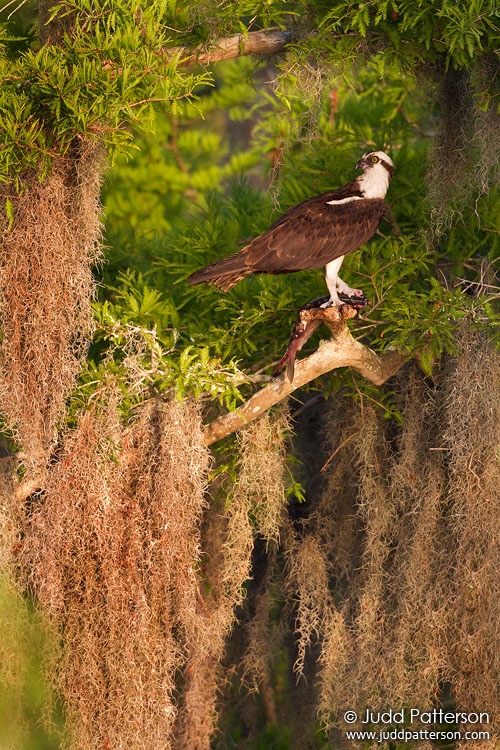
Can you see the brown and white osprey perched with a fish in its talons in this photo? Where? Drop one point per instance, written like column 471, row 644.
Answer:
column 319, row 232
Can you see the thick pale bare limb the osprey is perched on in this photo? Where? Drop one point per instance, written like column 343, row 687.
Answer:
column 342, row 351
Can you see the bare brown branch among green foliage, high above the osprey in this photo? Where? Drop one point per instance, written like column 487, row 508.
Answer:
column 264, row 42
